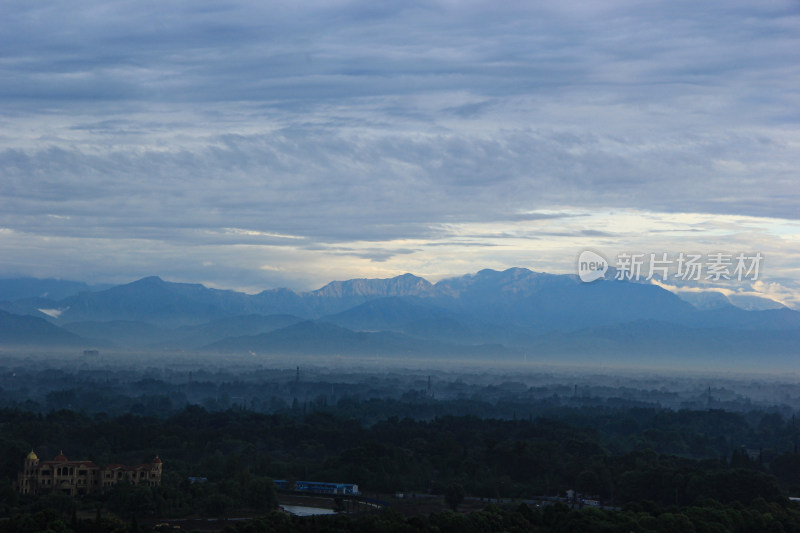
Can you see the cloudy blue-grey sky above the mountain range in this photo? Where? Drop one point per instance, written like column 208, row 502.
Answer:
column 252, row 145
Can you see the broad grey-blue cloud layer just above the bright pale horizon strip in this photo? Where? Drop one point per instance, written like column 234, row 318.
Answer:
column 343, row 186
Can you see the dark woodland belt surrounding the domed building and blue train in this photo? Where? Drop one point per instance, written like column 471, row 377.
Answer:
column 238, row 451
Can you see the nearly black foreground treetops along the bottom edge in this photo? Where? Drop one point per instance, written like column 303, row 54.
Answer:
column 707, row 517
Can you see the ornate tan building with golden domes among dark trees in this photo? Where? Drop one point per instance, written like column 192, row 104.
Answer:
column 82, row 477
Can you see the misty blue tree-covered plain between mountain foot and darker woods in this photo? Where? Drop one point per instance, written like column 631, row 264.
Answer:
column 170, row 384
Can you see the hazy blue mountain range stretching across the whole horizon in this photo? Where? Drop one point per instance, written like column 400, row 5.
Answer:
column 515, row 313
